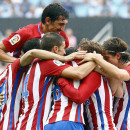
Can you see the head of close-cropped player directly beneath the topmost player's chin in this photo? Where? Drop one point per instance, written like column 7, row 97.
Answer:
column 53, row 42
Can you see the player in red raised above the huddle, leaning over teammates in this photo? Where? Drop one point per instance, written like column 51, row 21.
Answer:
column 53, row 19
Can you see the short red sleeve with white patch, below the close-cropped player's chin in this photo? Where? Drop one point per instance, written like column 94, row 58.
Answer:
column 53, row 67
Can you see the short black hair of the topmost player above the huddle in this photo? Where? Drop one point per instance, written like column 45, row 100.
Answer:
column 53, row 11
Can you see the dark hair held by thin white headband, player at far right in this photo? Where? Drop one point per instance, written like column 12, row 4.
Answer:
column 116, row 45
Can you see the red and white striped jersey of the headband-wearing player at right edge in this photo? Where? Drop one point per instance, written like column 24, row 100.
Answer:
column 122, row 107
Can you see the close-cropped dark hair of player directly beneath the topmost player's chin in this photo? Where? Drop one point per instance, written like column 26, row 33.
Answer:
column 51, row 39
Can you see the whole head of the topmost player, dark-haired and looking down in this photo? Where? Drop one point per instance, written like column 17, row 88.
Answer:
column 55, row 17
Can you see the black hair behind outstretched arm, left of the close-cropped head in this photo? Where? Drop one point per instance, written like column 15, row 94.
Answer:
column 33, row 43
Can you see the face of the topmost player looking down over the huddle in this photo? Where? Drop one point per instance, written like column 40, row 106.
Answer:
column 58, row 25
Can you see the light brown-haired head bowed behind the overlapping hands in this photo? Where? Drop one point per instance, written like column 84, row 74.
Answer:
column 89, row 46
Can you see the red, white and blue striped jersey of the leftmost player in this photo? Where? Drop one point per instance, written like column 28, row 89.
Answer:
column 11, row 85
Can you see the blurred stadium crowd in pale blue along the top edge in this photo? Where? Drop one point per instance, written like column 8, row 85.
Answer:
column 76, row 8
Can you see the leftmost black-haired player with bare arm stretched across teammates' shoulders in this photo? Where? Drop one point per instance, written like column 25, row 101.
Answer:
column 11, row 81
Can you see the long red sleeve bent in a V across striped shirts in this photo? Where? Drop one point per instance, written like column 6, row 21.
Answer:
column 86, row 88
